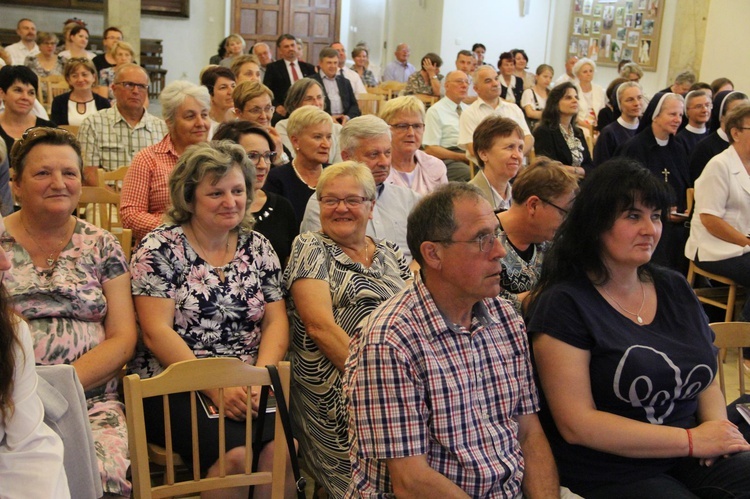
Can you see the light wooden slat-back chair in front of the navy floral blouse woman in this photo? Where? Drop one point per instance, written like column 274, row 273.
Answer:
column 190, row 376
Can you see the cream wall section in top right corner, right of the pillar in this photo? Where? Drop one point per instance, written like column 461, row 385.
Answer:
column 727, row 38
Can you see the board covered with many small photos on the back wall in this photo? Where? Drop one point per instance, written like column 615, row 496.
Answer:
column 613, row 30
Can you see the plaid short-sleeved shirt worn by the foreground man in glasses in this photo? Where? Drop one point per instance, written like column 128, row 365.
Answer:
column 421, row 385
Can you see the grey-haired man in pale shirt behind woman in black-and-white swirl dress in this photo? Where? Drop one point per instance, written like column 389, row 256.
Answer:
column 367, row 139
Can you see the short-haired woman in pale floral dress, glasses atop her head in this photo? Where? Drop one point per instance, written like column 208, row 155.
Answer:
column 72, row 285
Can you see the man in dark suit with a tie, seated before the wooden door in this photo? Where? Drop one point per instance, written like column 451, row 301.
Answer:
column 280, row 75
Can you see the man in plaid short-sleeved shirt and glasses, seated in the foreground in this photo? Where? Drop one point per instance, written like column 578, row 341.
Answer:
column 442, row 397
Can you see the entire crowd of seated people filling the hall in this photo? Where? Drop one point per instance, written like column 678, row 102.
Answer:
column 272, row 221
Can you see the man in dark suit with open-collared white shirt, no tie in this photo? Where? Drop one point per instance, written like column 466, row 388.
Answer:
column 340, row 100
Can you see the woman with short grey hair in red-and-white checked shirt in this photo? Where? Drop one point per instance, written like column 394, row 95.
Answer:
column 145, row 196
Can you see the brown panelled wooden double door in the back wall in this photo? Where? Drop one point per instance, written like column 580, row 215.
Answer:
column 315, row 22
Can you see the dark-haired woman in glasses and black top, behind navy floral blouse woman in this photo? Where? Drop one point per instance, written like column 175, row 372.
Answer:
column 274, row 215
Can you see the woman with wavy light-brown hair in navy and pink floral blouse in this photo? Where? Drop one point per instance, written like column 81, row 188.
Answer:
column 206, row 285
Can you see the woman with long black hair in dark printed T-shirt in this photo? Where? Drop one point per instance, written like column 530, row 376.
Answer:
column 624, row 354
